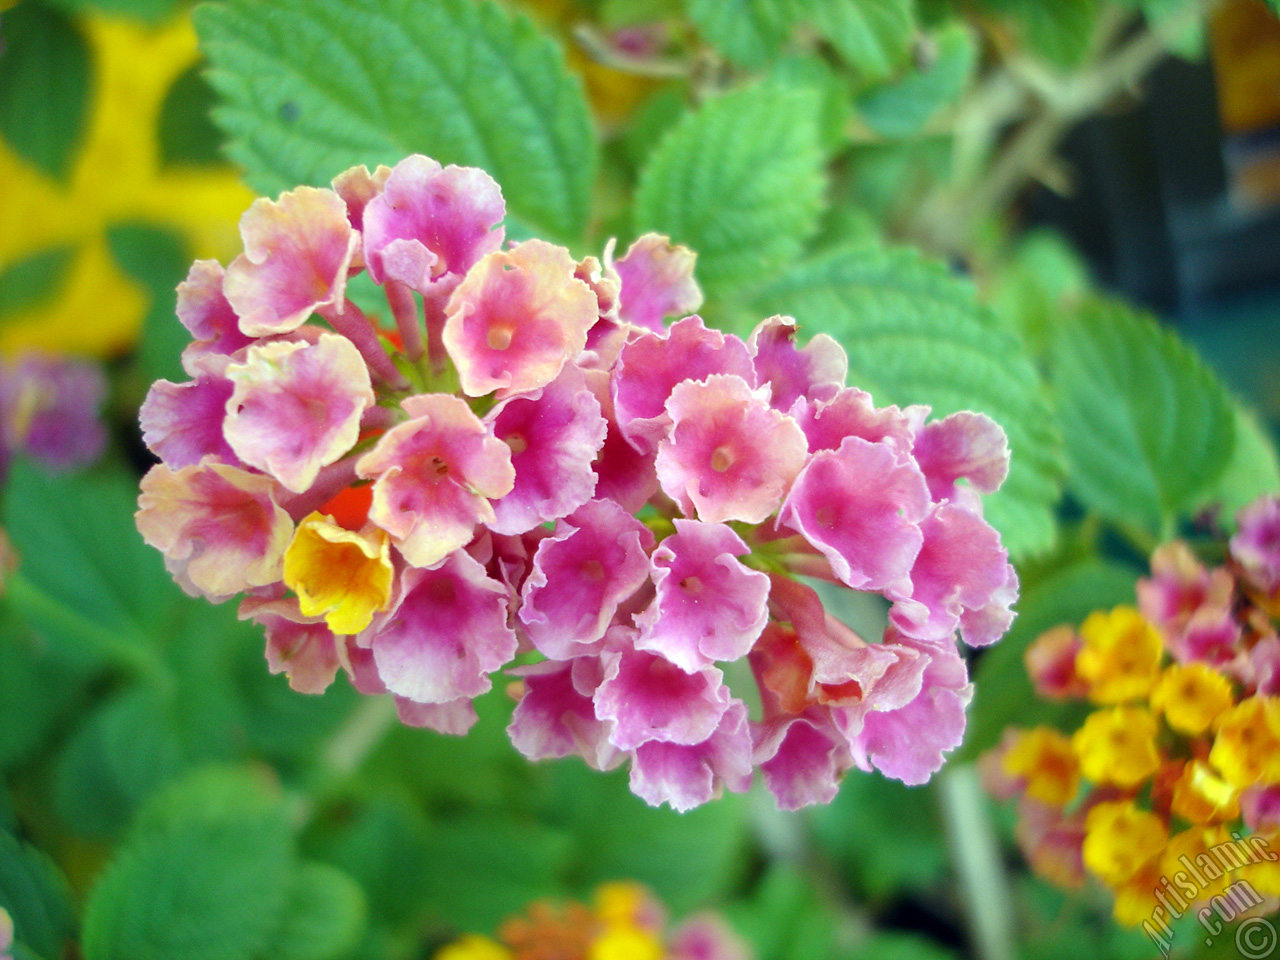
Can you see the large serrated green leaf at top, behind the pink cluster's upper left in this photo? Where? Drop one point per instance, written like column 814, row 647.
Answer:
column 316, row 86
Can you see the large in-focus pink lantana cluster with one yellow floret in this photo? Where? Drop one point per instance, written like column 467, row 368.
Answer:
column 516, row 463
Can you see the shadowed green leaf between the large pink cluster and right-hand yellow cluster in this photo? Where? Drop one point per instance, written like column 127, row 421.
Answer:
column 1003, row 691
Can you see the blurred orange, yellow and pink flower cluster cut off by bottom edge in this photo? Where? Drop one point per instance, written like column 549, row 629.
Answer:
column 624, row 922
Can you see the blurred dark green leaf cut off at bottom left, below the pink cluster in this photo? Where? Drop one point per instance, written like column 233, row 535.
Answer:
column 211, row 885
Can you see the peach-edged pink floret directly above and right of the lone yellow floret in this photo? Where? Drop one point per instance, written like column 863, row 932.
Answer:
column 435, row 478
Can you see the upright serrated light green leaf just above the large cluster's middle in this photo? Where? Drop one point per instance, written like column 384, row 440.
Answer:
column 739, row 181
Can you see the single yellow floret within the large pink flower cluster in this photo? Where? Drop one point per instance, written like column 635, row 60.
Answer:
column 340, row 574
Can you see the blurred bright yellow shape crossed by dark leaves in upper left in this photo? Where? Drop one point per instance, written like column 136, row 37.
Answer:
column 117, row 179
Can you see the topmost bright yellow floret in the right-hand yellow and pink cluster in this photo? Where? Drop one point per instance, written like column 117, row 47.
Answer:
column 1121, row 657
